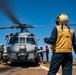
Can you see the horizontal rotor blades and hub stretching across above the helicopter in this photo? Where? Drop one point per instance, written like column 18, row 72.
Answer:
column 25, row 26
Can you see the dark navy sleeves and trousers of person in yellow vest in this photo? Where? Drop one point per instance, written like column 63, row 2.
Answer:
column 64, row 59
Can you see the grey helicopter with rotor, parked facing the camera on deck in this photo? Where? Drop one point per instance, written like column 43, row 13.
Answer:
column 20, row 46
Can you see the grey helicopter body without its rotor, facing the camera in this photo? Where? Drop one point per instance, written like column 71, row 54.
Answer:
column 22, row 46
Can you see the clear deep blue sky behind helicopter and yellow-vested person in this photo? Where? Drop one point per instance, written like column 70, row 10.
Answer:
column 38, row 13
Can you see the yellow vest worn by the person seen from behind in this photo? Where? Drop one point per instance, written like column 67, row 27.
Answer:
column 64, row 41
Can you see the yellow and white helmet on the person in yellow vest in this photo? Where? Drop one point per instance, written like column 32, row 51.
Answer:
column 62, row 19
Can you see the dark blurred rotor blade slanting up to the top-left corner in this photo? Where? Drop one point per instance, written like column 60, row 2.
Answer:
column 6, row 8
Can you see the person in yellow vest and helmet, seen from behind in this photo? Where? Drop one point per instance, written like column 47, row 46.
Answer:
column 61, row 40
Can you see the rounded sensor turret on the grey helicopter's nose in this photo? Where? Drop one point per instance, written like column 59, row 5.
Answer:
column 22, row 54
